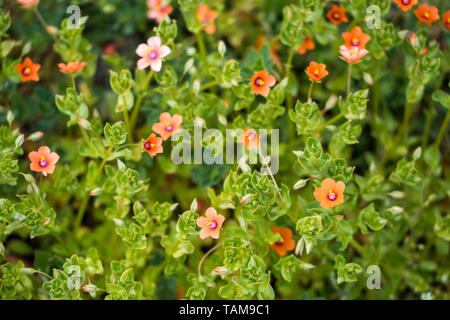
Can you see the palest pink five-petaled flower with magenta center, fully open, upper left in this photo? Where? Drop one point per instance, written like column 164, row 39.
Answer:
column 151, row 54
